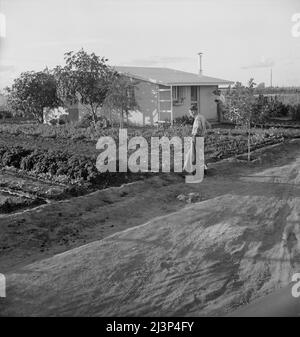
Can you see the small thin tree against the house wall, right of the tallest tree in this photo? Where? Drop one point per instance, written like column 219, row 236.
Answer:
column 121, row 96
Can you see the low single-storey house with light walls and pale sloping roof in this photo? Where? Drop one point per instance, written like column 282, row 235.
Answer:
column 165, row 94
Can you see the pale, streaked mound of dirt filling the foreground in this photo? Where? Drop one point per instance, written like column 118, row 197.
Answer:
column 204, row 260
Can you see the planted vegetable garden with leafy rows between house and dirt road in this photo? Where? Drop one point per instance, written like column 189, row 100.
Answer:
column 64, row 165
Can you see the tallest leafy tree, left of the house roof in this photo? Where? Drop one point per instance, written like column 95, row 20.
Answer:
column 85, row 78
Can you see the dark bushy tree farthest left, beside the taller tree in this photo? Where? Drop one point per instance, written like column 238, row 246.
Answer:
column 33, row 91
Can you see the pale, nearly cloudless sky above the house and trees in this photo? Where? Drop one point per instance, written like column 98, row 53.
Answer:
column 239, row 39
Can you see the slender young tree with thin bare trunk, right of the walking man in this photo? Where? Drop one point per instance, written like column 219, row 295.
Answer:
column 241, row 108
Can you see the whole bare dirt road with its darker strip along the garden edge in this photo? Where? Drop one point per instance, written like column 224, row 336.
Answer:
column 207, row 258
